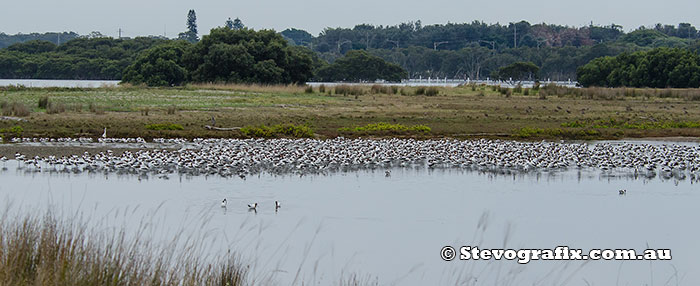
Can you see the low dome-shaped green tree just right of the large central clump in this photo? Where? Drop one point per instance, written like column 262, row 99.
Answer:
column 361, row 66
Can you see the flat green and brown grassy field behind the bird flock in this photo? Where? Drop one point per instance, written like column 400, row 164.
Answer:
column 366, row 111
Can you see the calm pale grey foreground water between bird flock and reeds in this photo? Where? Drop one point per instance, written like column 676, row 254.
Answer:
column 393, row 228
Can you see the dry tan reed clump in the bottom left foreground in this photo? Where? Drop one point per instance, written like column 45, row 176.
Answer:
column 50, row 251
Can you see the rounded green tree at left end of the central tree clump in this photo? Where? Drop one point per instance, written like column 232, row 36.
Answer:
column 159, row 66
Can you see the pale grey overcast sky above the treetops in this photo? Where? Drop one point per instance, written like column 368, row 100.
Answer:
column 154, row 17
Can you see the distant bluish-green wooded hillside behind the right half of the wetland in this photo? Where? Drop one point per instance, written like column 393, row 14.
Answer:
column 477, row 50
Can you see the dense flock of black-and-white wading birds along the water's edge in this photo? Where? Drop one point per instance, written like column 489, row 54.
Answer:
column 243, row 157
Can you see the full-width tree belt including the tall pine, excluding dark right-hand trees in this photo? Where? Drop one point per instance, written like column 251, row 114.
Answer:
column 473, row 50
